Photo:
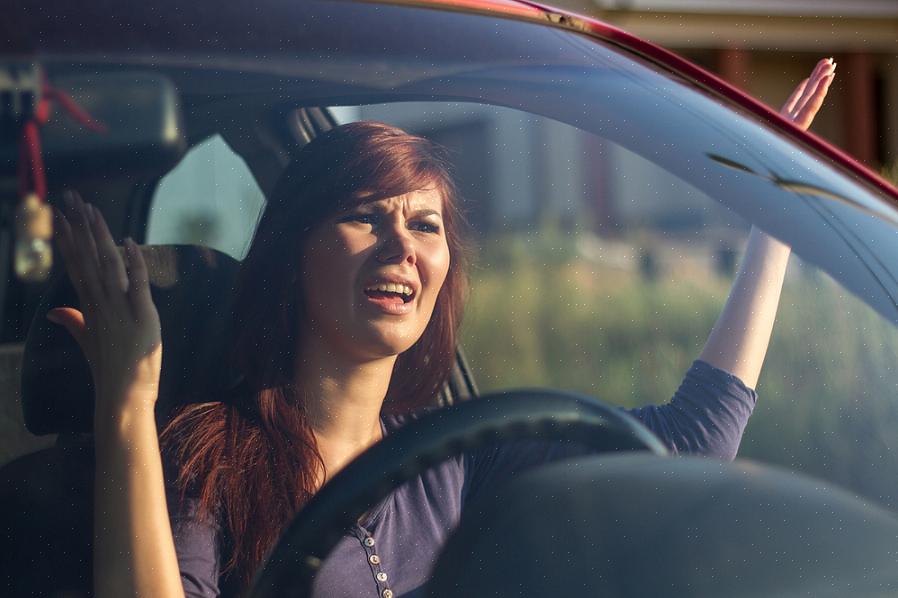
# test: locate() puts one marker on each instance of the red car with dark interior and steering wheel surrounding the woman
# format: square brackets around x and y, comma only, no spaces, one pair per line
[610,186]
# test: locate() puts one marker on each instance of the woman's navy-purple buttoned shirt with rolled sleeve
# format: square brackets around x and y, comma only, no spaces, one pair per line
[394,548]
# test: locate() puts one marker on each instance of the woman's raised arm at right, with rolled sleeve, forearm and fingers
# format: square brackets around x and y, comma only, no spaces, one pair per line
[709,411]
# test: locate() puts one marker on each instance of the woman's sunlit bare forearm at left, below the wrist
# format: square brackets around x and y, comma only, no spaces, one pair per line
[134,553]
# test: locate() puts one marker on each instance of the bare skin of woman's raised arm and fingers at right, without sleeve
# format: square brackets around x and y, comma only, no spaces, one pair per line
[738,342]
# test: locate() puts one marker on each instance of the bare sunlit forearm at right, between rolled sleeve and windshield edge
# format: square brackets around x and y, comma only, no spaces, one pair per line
[738,342]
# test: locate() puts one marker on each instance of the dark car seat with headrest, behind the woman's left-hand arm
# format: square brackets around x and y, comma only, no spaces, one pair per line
[46,497]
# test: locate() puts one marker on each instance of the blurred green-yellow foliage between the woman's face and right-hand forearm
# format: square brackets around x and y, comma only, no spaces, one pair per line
[567,323]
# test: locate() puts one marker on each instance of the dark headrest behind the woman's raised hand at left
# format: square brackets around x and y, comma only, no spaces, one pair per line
[192,288]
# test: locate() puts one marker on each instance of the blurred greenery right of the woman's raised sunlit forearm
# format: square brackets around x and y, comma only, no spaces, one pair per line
[829,389]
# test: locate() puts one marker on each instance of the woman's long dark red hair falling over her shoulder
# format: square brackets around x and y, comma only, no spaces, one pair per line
[250,462]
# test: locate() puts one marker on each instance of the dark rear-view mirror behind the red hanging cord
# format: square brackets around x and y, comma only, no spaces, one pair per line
[141,118]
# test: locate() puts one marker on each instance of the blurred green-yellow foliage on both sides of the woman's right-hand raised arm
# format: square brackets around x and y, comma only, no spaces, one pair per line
[540,315]
